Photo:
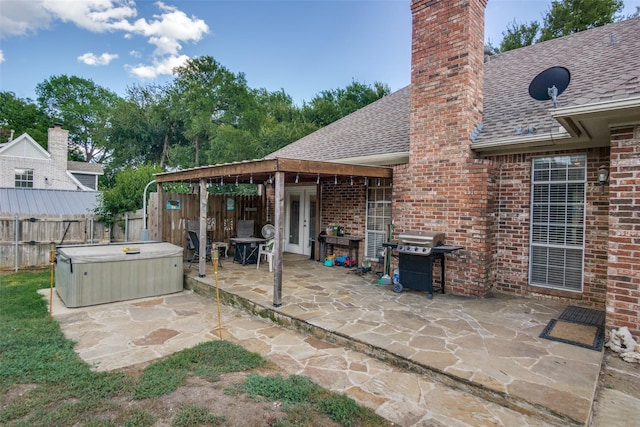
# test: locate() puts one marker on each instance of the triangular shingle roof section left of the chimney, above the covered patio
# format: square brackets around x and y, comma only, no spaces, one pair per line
[381,127]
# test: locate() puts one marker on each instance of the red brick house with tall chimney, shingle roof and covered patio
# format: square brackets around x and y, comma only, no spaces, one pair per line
[541,194]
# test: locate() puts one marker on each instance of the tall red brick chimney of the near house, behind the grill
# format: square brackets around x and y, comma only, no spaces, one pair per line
[445,187]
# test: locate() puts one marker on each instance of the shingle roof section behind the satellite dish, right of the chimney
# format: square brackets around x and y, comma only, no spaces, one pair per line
[600,71]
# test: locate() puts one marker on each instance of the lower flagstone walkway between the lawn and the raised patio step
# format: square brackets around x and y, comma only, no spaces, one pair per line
[403,397]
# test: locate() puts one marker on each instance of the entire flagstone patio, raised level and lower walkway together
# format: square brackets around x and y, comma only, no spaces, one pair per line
[417,362]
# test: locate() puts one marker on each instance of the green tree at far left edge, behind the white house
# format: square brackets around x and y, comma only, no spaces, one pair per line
[22,116]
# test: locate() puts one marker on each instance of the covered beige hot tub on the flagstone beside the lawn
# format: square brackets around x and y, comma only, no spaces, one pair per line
[98,274]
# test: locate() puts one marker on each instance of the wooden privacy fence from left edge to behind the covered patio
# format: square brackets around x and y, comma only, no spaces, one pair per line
[25,240]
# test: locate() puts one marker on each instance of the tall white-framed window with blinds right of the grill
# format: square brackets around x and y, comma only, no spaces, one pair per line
[557,222]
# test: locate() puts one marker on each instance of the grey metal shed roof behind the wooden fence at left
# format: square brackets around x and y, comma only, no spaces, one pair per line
[35,201]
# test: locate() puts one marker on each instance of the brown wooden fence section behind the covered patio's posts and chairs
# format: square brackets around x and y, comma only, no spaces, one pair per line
[223,213]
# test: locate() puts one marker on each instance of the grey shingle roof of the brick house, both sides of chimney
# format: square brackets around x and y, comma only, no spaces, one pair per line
[604,63]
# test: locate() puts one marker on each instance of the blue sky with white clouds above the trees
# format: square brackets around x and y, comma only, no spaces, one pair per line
[300,46]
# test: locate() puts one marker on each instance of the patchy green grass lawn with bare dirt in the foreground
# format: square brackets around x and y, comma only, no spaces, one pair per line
[44,383]
